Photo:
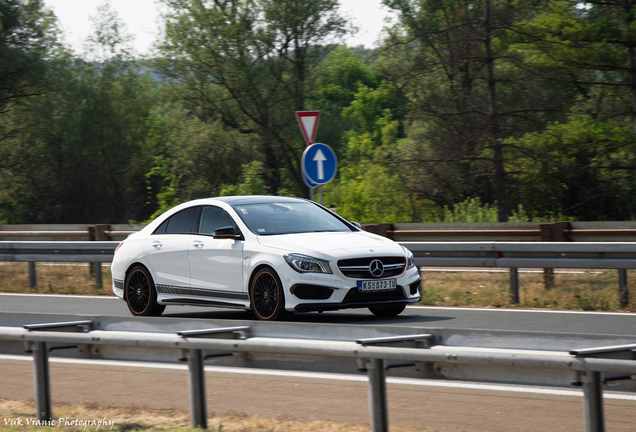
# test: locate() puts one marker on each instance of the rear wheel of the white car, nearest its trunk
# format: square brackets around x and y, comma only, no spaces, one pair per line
[140,293]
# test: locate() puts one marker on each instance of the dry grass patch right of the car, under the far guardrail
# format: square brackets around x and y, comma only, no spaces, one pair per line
[583,290]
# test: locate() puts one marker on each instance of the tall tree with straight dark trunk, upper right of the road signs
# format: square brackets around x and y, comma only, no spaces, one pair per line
[466,93]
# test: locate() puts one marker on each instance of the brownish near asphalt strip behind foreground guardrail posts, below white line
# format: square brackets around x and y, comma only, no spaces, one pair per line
[298,398]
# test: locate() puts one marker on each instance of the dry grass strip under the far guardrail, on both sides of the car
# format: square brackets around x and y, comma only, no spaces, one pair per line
[583,290]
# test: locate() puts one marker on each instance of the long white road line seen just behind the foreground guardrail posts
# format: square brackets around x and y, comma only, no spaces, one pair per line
[330,376]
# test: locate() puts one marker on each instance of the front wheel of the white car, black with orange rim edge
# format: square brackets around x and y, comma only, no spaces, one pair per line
[267,298]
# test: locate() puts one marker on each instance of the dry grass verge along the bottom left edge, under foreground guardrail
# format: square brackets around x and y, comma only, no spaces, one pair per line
[131,419]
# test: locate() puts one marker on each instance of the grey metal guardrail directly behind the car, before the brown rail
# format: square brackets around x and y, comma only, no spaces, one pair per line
[512,255]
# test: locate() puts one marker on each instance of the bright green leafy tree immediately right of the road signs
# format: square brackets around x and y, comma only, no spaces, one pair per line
[369,188]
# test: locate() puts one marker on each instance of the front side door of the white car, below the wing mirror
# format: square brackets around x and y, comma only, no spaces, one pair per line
[216,265]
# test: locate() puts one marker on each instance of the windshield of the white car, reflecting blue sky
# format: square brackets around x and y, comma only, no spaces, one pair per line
[288,218]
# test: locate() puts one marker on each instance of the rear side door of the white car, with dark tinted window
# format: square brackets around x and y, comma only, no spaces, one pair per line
[167,252]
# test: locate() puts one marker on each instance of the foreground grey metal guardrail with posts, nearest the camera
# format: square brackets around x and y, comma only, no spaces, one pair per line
[371,355]
